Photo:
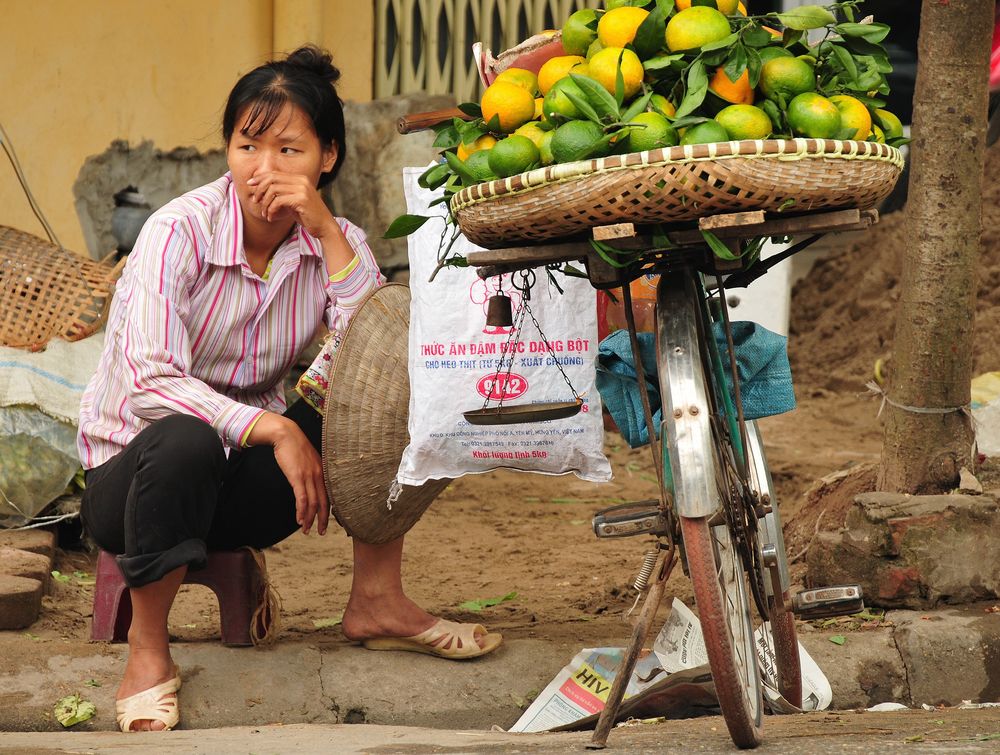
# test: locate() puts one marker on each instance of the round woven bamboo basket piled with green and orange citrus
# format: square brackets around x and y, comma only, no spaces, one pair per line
[677,184]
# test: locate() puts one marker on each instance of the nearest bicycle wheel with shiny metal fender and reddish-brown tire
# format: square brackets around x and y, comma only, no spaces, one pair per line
[701,460]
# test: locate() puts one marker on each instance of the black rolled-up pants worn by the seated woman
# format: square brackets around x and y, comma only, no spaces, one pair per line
[171,495]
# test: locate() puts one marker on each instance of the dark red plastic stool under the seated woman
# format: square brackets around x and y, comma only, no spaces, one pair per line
[233,576]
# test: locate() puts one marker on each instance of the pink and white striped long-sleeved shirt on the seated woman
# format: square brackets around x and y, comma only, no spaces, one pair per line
[193,330]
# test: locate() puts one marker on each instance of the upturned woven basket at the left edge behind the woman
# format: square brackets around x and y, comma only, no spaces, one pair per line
[48,292]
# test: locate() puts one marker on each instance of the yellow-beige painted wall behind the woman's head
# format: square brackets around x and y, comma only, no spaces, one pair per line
[77,74]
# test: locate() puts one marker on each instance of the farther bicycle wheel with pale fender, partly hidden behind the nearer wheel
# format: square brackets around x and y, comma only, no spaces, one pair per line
[781,641]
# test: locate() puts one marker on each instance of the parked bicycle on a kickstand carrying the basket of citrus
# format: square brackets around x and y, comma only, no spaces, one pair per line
[717,501]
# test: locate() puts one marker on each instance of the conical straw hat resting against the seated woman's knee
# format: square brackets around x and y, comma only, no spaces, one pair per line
[364,426]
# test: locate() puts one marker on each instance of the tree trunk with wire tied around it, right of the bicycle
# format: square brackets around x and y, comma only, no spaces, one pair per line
[923,451]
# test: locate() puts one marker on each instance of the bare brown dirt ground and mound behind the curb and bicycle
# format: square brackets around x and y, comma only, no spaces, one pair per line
[492,535]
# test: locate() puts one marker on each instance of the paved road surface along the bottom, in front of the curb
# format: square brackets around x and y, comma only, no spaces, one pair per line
[940,731]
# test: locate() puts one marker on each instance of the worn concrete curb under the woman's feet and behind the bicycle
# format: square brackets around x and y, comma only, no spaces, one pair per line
[937,657]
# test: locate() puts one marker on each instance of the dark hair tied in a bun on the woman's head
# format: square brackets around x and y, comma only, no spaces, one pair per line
[306,78]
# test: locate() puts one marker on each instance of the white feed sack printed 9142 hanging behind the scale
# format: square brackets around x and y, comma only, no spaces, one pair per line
[453,367]
